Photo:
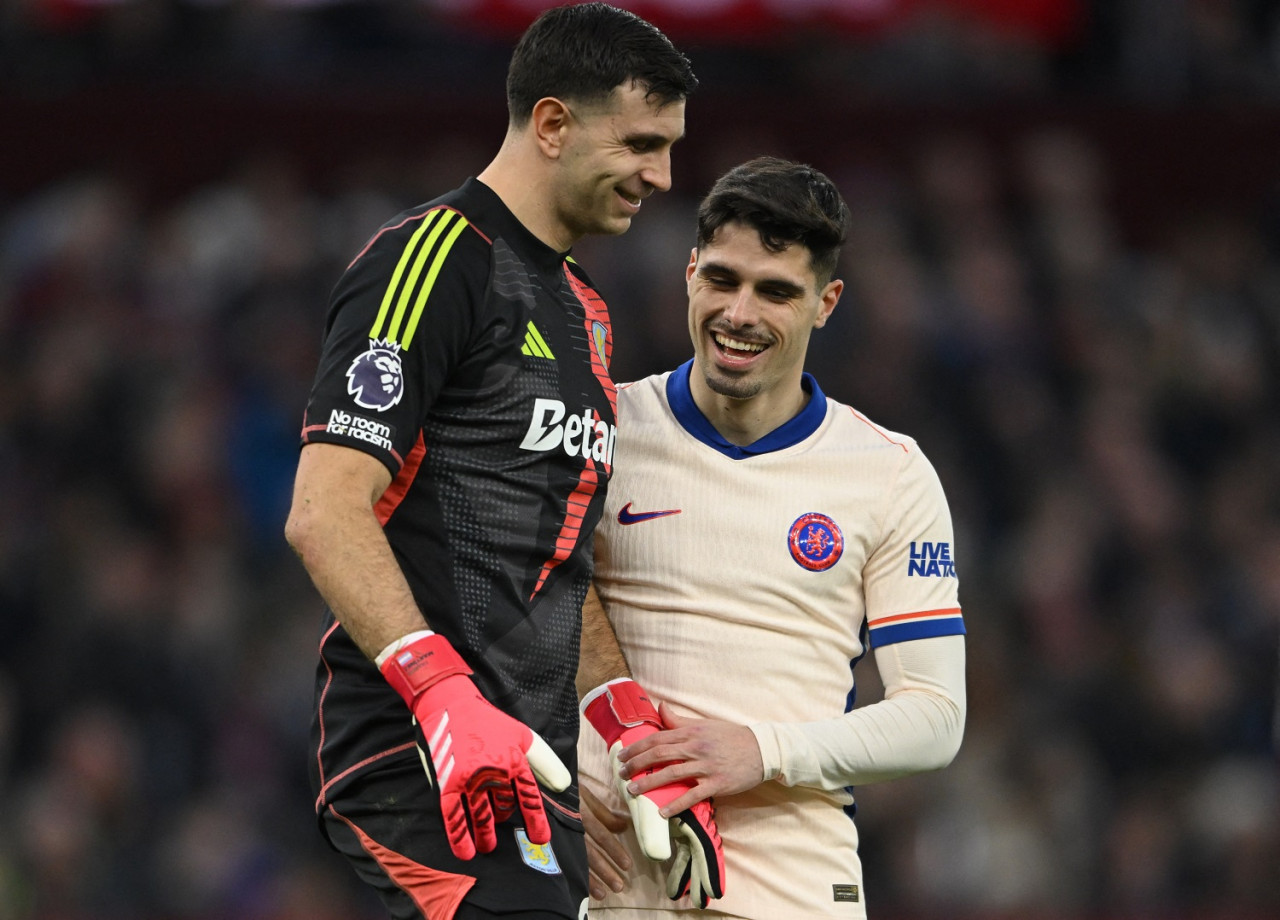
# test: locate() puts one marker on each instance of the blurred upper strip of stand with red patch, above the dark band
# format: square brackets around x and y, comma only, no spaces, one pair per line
[1163,51]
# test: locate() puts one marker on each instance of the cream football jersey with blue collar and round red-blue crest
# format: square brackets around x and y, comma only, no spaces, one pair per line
[744,584]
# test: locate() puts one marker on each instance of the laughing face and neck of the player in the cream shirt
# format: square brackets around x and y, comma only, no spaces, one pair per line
[751,314]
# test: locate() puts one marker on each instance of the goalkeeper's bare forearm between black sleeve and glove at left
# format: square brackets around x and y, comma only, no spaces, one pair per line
[333,529]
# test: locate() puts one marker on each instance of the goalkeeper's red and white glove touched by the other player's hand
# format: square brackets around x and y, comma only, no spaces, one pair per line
[623,713]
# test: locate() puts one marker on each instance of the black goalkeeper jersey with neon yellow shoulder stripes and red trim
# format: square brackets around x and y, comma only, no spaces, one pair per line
[472,360]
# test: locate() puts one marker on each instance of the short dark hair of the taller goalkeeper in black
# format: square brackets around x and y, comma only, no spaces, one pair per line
[583,52]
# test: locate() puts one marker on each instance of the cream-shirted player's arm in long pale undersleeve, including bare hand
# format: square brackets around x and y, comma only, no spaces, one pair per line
[917,727]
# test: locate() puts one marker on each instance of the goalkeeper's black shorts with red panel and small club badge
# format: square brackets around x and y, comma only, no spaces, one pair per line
[388,826]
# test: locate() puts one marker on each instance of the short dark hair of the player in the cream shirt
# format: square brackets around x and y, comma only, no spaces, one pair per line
[785,203]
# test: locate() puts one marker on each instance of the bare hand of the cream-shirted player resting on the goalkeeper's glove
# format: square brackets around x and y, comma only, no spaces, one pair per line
[710,758]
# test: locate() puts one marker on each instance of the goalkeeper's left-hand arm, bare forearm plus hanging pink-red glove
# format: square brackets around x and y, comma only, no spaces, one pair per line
[495,768]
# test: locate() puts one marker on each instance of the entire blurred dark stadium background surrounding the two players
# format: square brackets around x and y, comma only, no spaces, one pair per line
[1064,280]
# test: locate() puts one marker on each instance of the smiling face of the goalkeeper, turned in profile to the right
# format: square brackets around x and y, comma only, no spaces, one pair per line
[615,157]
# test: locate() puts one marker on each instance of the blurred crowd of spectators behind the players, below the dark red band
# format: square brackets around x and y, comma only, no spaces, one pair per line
[1103,408]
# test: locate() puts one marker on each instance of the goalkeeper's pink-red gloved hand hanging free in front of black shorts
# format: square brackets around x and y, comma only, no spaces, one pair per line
[484,763]
